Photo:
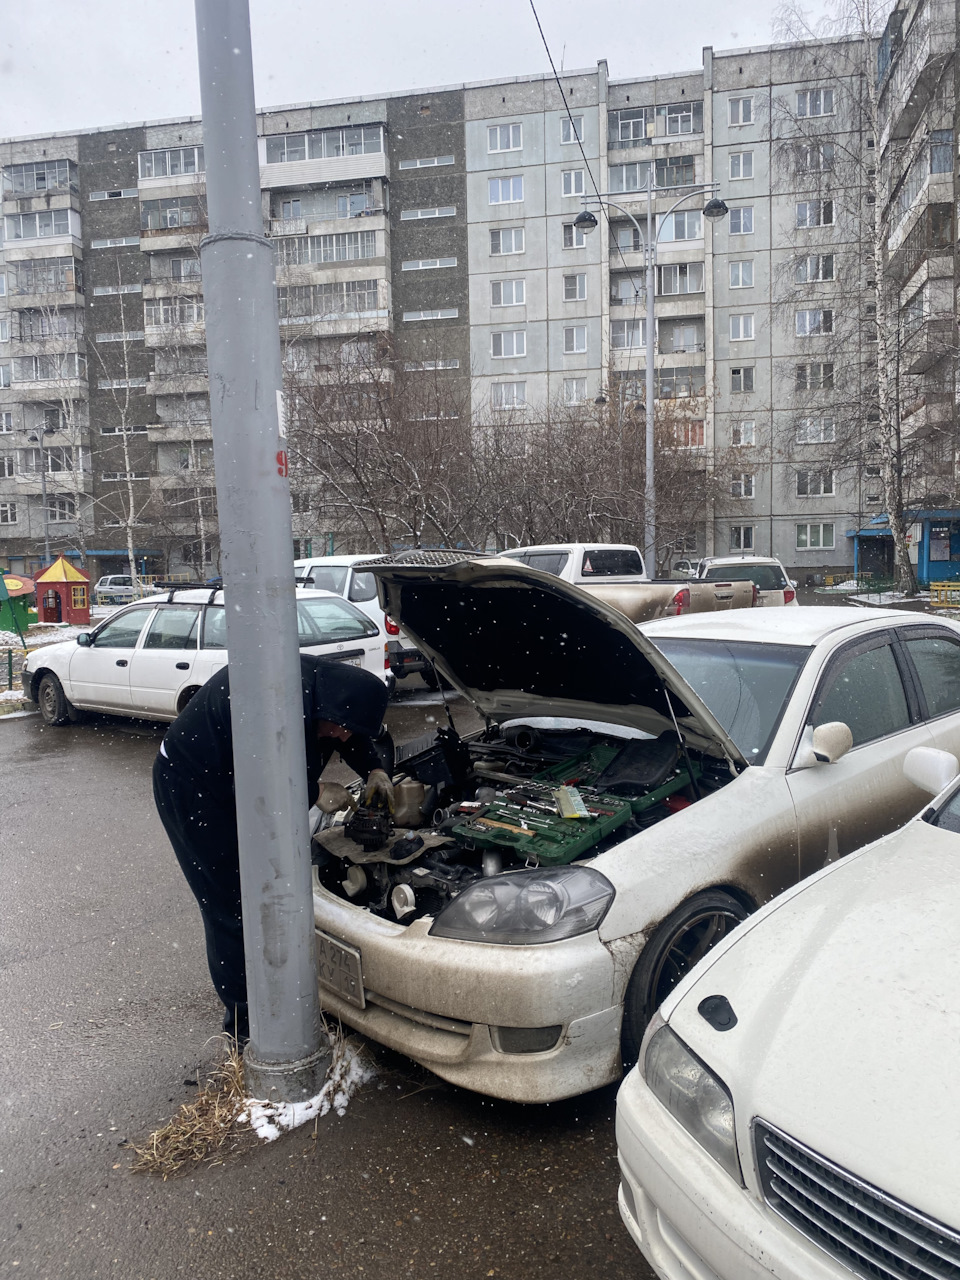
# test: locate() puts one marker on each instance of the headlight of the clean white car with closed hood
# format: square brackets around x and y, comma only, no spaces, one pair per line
[693,1096]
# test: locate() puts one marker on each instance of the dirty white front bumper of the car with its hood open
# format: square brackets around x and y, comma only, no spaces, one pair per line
[436,1000]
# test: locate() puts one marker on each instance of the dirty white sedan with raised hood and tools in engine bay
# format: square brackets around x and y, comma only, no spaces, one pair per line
[719,760]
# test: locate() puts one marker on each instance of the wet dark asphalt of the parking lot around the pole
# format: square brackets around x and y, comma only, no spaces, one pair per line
[107,1016]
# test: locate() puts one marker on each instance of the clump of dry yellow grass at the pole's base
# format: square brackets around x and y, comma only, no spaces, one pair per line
[203,1132]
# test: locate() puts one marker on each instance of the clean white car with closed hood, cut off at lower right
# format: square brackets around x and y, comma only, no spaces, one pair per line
[794,1113]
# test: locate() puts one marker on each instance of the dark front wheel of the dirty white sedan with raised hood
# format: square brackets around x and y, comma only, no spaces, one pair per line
[673,950]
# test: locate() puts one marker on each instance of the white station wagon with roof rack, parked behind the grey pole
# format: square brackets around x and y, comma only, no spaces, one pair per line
[152,657]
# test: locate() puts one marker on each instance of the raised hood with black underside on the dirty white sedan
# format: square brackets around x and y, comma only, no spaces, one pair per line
[519,642]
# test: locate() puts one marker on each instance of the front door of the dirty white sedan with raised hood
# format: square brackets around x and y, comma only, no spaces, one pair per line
[865,796]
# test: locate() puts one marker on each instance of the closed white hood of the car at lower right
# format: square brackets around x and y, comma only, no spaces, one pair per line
[848,998]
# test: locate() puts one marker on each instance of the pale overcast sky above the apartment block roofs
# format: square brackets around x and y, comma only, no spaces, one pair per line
[70,65]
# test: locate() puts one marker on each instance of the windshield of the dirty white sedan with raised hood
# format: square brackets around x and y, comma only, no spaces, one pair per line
[746,685]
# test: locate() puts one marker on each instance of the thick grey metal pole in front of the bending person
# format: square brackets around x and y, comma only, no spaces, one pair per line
[284,1059]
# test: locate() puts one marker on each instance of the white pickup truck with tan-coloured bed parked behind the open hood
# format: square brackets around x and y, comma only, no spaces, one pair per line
[616,574]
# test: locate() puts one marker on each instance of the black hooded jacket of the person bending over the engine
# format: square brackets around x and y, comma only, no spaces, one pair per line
[200,744]
